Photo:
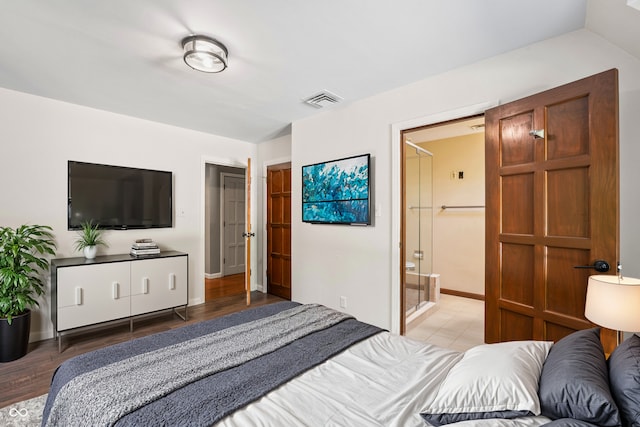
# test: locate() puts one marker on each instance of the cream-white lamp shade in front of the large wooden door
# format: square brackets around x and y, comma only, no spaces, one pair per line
[614,303]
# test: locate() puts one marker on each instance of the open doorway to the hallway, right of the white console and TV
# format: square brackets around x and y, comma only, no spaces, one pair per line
[225,195]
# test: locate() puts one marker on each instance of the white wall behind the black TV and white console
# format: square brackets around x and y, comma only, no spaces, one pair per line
[39,135]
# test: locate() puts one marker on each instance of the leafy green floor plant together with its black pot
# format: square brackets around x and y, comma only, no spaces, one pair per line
[22,263]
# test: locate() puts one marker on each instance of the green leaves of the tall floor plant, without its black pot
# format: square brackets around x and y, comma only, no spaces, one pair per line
[22,263]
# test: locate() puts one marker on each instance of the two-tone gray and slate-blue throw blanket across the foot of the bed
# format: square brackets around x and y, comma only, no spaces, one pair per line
[161,386]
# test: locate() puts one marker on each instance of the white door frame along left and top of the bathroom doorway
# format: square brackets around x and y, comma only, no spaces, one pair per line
[396,188]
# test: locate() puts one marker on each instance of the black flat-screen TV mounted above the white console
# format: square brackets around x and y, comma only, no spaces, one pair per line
[116,197]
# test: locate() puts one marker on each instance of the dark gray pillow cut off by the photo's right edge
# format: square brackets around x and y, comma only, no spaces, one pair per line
[624,379]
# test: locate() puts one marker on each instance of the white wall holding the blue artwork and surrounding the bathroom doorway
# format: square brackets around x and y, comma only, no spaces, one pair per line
[358,262]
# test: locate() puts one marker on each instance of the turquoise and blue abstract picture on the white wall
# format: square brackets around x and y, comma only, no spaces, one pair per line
[337,191]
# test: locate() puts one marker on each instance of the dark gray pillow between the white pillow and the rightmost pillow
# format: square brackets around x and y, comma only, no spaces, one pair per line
[574,382]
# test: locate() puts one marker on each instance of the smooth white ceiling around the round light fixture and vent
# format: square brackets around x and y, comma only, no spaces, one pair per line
[125,56]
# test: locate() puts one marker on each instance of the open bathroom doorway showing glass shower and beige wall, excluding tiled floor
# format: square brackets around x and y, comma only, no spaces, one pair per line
[442,224]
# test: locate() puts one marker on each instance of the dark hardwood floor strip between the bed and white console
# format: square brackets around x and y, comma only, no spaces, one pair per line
[31,375]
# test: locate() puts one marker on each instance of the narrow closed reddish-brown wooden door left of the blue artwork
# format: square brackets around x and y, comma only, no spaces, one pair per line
[279,230]
